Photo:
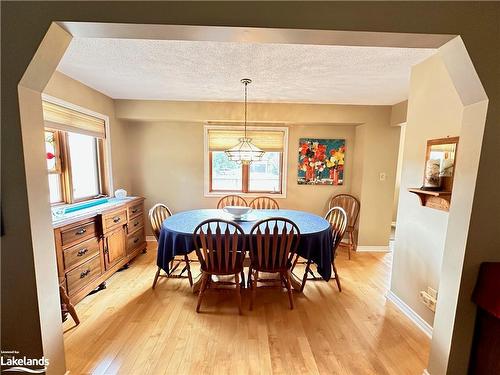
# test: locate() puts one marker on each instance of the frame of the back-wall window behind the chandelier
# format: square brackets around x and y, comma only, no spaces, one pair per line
[245,192]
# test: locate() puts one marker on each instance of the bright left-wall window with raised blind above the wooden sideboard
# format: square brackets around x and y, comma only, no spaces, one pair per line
[75,148]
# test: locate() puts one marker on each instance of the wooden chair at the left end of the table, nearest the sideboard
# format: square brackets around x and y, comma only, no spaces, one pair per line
[157,215]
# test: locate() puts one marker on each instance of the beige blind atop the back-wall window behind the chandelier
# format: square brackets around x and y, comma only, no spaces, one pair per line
[267,140]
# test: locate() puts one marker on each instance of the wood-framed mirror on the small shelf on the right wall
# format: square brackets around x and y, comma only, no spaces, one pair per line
[440,164]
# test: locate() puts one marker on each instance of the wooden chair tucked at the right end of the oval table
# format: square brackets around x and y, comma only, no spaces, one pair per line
[337,218]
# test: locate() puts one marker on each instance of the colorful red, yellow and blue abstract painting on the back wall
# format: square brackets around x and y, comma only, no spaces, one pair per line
[321,161]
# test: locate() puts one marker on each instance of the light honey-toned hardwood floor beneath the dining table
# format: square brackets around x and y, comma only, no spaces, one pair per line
[131,329]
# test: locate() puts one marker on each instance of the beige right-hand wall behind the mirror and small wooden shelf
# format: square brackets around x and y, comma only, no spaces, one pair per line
[434,111]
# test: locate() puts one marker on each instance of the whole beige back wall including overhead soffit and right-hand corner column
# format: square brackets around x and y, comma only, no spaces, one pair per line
[157,131]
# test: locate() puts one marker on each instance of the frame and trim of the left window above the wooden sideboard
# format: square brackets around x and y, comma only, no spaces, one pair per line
[103,151]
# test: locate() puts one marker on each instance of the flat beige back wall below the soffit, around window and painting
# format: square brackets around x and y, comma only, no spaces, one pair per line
[169,166]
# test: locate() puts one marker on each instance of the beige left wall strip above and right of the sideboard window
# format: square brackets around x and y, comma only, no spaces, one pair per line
[75,92]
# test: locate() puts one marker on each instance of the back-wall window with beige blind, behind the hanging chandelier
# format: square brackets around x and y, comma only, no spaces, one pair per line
[264,176]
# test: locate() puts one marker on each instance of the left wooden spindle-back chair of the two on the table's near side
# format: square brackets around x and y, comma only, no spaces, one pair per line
[220,247]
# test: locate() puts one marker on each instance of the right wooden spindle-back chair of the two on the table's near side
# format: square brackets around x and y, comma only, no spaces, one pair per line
[273,242]
